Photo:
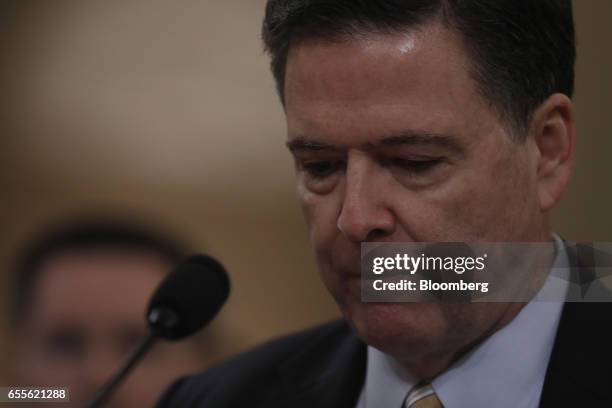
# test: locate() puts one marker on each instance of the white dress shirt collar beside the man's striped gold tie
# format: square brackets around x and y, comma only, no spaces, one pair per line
[506,370]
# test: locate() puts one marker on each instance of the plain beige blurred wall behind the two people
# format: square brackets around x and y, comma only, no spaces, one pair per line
[166,109]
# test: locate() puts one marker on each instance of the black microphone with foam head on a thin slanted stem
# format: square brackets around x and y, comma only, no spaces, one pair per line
[186,300]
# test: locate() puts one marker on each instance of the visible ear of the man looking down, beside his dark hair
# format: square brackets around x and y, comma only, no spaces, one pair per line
[554,134]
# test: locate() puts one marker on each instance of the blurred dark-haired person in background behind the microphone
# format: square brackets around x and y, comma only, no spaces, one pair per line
[79,300]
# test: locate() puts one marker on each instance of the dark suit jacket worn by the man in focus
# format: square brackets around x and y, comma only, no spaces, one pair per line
[325,368]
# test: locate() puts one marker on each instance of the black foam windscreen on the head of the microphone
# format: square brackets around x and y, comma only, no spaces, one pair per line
[193,292]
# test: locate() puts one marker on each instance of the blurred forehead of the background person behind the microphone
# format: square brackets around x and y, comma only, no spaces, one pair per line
[96,282]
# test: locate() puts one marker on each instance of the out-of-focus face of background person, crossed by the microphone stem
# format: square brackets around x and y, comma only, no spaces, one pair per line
[87,313]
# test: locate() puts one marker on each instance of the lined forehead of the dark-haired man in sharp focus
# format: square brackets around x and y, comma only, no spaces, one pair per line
[379,83]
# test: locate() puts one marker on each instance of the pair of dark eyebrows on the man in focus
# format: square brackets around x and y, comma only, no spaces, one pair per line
[404,138]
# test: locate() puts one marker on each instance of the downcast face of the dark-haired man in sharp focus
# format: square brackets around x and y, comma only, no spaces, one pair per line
[392,142]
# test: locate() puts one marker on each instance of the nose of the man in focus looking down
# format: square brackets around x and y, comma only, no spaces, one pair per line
[365,214]
